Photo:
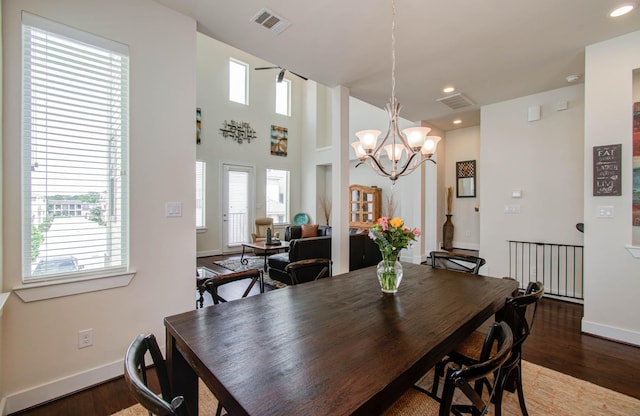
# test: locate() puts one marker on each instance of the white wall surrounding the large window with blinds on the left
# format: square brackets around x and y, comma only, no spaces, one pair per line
[40,357]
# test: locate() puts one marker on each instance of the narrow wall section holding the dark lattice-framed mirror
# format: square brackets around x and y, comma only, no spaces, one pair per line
[463,144]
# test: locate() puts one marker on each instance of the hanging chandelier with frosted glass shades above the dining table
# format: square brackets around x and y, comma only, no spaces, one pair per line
[407,150]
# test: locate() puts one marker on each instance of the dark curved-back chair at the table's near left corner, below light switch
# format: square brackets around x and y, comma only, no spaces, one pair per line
[135,375]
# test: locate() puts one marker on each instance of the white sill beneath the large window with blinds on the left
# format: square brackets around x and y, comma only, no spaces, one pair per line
[32,292]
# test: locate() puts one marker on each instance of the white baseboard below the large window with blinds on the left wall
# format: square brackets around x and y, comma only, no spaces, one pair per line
[43,393]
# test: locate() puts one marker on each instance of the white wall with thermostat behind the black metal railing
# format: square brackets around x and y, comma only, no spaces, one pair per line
[543,159]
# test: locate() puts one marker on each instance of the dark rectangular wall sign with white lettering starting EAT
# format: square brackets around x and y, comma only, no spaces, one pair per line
[606,170]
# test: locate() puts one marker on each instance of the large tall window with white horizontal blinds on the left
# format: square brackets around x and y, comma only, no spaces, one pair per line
[75,152]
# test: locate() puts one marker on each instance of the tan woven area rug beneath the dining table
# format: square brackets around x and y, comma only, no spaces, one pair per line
[547,392]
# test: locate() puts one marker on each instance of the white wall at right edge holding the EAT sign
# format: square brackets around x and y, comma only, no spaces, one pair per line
[611,274]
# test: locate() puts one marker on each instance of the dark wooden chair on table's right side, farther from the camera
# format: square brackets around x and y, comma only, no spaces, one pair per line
[519,313]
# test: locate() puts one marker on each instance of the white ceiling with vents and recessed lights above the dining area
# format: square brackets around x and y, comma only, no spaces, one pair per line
[491,50]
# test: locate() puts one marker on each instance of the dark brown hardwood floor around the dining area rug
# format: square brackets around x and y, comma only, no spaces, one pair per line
[555,342]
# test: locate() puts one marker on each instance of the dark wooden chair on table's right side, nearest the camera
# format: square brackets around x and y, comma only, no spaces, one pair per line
[419,401]
